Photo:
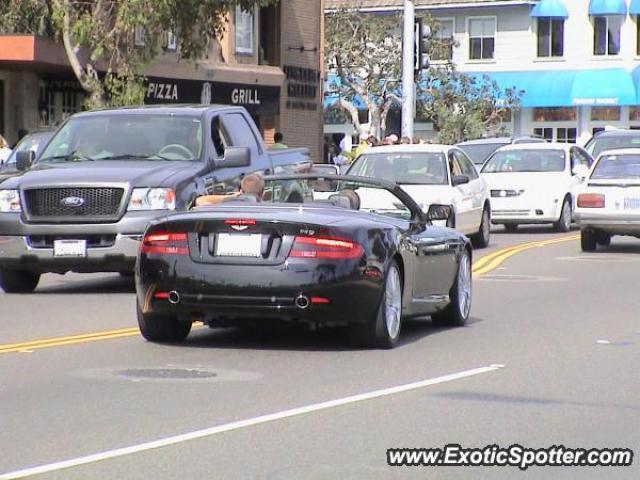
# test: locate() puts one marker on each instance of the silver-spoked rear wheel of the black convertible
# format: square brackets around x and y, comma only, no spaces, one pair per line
[384,331]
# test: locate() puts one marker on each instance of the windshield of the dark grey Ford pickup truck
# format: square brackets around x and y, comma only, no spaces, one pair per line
[126,137]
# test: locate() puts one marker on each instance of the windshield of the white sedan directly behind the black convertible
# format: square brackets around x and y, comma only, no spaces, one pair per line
[407,168]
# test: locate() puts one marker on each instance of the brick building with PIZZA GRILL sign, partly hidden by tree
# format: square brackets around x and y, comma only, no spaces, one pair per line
[268,60]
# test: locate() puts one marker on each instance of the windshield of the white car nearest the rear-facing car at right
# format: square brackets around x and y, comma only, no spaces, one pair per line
[529,160]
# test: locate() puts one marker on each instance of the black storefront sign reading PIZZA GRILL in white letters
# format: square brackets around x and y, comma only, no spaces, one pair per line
[257,99]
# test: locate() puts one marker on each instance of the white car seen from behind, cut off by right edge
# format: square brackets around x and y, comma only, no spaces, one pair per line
[608,203]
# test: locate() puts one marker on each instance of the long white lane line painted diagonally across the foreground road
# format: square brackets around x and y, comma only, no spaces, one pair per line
[227,427]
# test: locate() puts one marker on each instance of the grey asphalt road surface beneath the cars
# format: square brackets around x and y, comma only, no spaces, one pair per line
[550,357]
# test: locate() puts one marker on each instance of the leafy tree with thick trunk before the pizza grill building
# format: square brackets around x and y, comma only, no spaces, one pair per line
[101,33]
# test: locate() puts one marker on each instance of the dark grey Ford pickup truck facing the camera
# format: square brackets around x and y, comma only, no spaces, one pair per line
[85,202]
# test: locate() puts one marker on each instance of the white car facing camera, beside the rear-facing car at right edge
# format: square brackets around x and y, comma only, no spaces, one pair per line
[534,183]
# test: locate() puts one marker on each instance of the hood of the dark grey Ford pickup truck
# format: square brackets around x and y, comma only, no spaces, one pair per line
[135,173]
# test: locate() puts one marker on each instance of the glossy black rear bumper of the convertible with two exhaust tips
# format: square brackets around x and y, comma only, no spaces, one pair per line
[226,294]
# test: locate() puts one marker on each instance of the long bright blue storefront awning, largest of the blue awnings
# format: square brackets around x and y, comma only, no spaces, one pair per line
[566,88]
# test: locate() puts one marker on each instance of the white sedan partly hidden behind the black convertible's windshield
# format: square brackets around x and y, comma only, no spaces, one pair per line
[432,173]
